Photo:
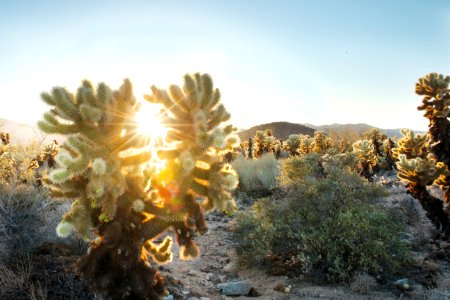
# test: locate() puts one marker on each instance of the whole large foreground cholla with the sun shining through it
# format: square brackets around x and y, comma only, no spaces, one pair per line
[120,206]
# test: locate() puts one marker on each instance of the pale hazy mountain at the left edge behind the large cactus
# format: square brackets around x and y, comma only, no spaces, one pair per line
[24,133]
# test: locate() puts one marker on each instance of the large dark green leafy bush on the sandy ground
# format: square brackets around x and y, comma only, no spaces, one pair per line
[326,228]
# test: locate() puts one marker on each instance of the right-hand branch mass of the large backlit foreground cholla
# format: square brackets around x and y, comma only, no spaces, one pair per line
[192,116]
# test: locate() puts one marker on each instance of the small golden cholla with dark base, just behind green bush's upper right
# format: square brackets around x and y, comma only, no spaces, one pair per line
[366,158]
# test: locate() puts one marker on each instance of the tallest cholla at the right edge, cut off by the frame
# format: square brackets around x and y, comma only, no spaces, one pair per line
[436,104]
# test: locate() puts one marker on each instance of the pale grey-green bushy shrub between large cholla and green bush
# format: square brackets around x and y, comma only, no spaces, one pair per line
[257,174]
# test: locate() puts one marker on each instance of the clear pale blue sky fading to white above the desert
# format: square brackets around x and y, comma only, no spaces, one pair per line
[317,62]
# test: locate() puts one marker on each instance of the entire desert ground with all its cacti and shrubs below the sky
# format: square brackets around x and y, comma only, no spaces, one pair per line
[114,213]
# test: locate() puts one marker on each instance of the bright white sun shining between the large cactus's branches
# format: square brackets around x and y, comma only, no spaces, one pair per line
[148,118]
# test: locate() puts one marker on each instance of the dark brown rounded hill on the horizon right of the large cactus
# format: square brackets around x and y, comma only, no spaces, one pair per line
[281,130]
